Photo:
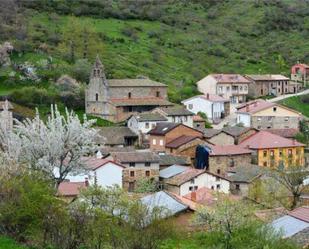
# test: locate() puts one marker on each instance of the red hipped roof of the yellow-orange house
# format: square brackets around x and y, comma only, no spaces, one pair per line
[267,140]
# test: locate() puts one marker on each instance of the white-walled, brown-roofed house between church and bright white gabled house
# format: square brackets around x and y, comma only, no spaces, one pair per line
[176,114]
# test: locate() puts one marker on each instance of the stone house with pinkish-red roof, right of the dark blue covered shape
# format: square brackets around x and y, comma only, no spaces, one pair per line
[222,158]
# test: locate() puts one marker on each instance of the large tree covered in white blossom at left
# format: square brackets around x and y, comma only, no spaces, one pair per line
[55,147]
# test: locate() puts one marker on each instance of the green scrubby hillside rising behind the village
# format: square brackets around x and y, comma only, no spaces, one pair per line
[175,42]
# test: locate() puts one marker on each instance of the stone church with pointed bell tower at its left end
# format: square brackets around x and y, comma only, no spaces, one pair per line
[117,99]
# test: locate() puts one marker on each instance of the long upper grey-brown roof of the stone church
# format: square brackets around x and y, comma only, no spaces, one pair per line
[134,83]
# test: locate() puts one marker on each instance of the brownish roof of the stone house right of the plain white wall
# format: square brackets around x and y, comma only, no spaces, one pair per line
[136,157]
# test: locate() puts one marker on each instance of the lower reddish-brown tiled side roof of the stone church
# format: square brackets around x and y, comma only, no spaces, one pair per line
[140,102]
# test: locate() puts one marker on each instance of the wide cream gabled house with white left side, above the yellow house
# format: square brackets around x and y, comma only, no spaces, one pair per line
[261,114]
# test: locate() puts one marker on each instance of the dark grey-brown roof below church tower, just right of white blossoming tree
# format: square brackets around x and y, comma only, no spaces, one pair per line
[115,135]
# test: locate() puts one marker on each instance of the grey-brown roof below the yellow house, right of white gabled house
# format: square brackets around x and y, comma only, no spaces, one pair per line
[244,173]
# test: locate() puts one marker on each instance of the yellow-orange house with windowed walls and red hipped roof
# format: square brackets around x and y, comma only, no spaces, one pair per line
[271,150]
